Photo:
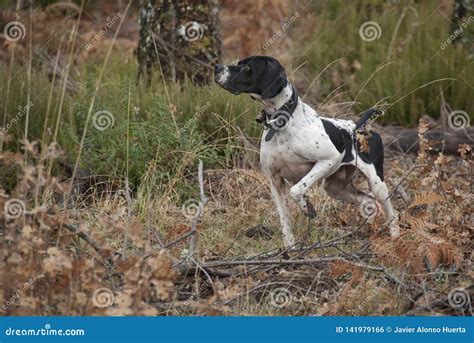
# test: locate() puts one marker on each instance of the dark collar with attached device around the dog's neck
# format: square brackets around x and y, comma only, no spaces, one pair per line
[277,120]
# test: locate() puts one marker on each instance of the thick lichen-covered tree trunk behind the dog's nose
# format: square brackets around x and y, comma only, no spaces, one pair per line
[179,38]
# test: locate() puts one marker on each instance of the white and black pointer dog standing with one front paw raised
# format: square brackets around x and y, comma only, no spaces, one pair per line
[300,148]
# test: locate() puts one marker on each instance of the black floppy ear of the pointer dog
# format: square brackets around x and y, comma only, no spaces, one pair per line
[272,79]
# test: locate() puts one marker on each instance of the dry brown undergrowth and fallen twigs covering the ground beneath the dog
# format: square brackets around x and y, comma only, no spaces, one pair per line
[64,257]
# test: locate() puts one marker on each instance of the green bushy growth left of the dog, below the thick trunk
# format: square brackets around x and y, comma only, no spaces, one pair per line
[144,131]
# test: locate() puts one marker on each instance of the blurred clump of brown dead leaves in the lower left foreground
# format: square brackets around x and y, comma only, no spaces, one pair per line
[68,271]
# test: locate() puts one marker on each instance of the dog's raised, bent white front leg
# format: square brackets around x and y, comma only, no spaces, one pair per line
[320,170]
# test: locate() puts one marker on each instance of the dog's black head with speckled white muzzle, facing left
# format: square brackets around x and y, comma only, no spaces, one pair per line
[261,76]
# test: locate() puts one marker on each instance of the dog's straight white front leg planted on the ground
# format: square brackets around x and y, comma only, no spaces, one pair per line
[277,186]
